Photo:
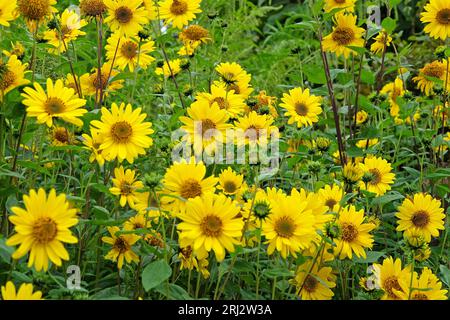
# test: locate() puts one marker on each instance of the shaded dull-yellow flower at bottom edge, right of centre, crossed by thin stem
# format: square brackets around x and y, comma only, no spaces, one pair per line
[314,283]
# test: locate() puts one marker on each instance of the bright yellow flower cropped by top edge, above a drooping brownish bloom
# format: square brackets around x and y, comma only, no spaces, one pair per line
[178,12]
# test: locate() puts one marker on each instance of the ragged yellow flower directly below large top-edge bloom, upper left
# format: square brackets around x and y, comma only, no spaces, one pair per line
[130,52]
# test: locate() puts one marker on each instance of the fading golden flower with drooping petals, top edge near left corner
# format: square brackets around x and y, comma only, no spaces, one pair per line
[35,12]
